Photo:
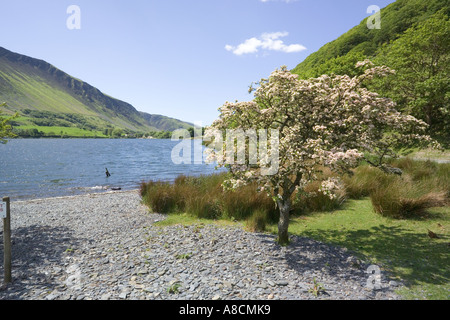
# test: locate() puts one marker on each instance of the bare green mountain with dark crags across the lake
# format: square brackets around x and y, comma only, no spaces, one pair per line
[45,96]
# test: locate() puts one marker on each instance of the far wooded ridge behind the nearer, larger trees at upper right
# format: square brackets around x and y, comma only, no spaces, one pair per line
[340,55]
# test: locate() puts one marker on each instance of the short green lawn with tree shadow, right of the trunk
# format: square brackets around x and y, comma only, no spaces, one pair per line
[402,247]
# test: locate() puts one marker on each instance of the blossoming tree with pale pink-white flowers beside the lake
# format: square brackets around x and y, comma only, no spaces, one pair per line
[330,121]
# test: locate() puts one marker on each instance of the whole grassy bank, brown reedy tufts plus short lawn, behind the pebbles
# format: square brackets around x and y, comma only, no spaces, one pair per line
[398,222]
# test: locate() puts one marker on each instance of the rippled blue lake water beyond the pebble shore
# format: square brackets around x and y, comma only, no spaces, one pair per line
[42,168]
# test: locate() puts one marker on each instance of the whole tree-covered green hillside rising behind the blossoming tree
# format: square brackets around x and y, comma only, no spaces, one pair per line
[414,40]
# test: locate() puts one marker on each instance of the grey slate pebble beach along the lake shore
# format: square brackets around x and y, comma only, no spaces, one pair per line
[106,247]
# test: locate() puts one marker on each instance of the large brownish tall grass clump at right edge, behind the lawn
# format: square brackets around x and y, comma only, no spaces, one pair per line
[423,185]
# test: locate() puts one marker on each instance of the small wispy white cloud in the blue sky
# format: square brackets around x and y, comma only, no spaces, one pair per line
[267,41]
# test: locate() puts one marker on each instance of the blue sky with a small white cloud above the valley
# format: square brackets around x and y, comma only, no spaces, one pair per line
[179,58]
